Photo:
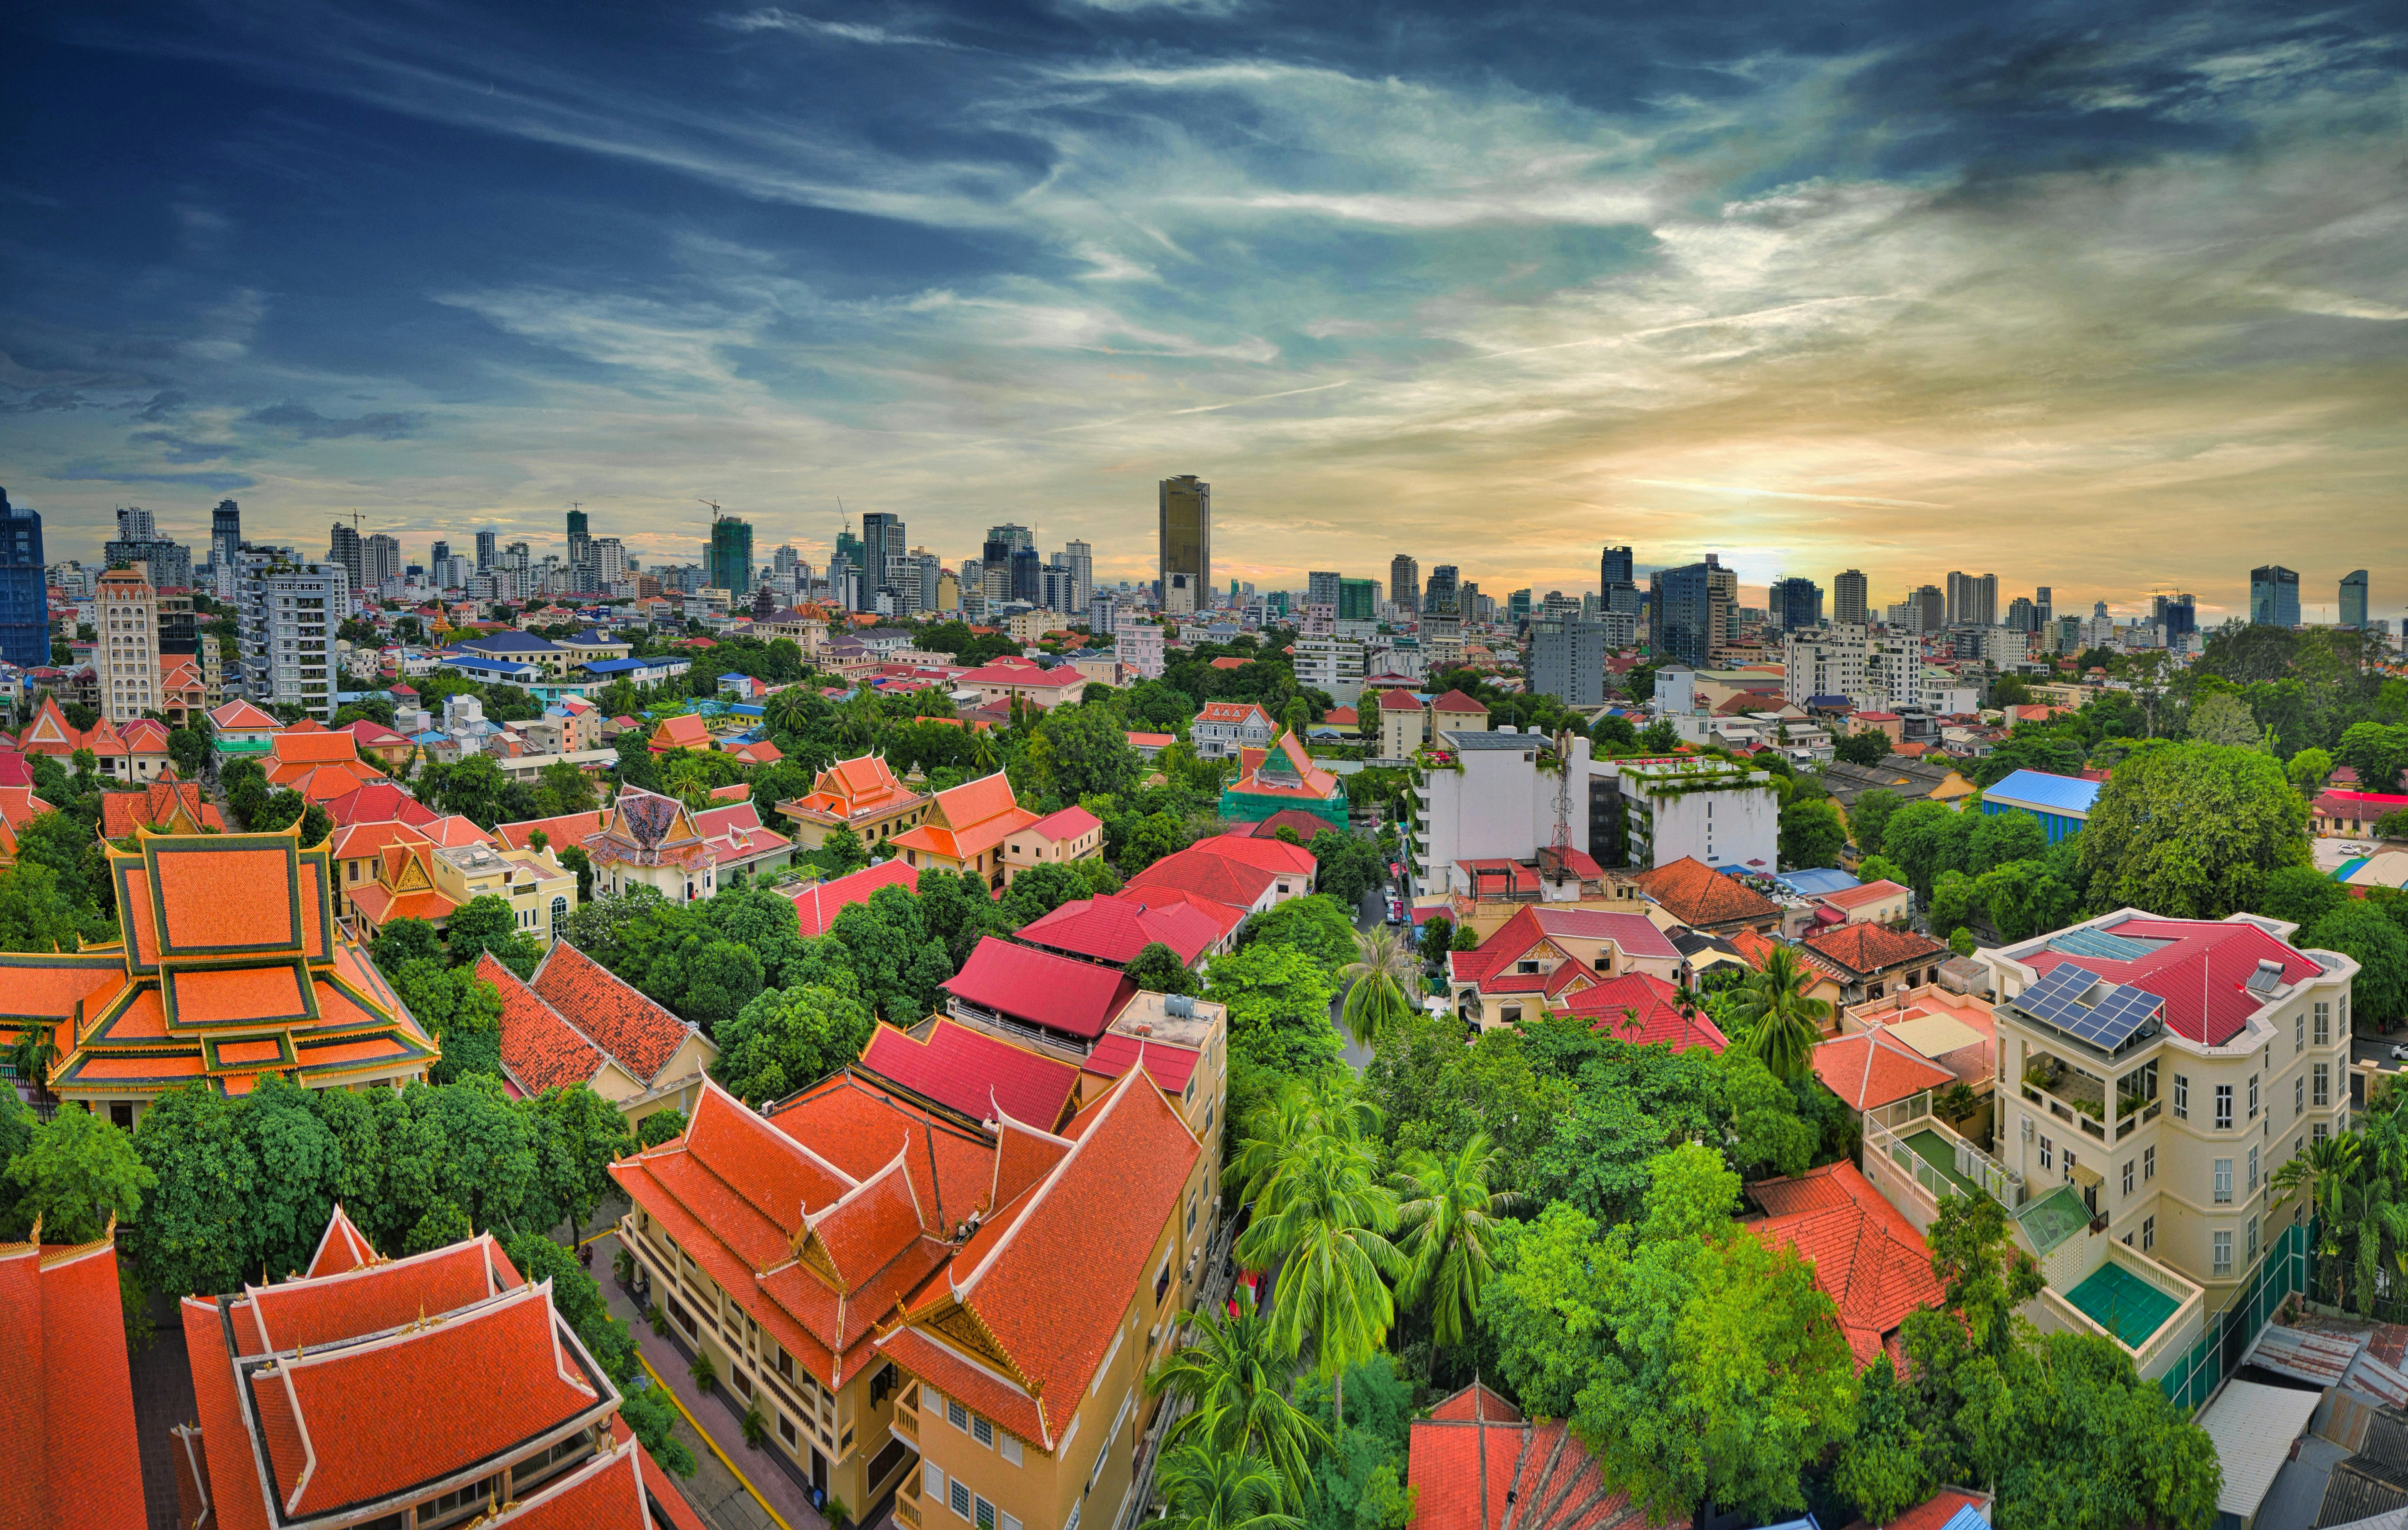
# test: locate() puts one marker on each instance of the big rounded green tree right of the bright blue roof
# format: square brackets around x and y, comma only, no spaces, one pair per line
[2192,832]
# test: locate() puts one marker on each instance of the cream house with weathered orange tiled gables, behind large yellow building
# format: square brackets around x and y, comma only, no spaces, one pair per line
[584,1025]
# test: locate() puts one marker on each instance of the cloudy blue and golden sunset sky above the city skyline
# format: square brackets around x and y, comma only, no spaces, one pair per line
[2099,298]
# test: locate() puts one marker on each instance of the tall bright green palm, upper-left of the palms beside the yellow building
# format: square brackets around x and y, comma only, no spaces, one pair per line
[1326,1218]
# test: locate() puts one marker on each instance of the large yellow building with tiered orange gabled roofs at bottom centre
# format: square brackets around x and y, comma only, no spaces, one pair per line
[948,1310]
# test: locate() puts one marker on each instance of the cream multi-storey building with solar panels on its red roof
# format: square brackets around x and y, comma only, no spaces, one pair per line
[2166,1071]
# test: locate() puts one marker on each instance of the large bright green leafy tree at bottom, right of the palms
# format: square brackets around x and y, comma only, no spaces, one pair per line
[1692,1358]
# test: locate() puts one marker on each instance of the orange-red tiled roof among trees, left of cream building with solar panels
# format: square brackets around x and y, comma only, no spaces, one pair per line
[1865,1252]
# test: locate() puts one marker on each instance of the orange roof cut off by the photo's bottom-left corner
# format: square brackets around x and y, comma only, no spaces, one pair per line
[66,1389]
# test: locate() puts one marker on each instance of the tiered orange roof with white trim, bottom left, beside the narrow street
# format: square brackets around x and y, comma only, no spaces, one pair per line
[293,1379]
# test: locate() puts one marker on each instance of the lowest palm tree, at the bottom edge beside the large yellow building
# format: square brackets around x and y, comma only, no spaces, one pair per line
[1237,1377]
